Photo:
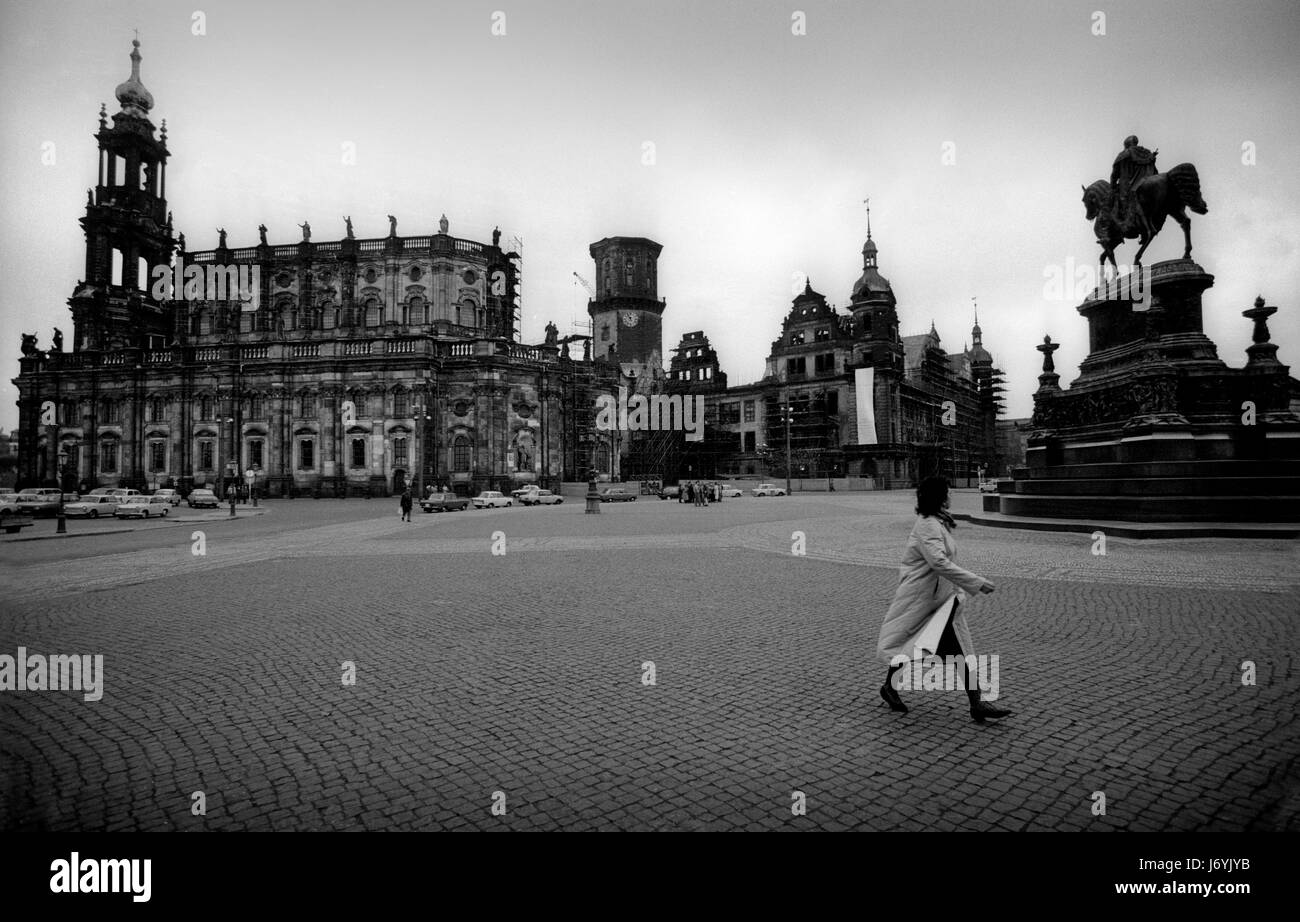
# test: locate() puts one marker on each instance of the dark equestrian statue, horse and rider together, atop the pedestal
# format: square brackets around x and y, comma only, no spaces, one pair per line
[1137,201]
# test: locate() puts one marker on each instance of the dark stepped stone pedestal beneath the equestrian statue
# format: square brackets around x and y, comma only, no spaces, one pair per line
[1158,427]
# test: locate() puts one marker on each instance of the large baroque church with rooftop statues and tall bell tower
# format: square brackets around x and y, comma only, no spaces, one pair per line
[354,366]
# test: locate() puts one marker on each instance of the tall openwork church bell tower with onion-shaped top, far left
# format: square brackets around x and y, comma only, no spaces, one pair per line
[128,230]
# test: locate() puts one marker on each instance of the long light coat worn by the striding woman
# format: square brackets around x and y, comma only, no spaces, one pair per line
[928,579]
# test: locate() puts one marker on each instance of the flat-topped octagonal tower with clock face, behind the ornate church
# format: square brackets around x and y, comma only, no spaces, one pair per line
[627,315]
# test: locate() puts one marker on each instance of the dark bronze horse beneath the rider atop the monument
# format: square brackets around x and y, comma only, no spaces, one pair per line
[1152,201]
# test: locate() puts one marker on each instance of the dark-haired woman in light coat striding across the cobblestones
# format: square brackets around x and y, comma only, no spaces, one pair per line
[928,579]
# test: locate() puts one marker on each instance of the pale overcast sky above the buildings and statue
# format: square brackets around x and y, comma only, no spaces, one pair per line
[765,146]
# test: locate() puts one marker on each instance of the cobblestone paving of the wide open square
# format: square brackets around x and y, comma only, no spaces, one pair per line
[523,674]
